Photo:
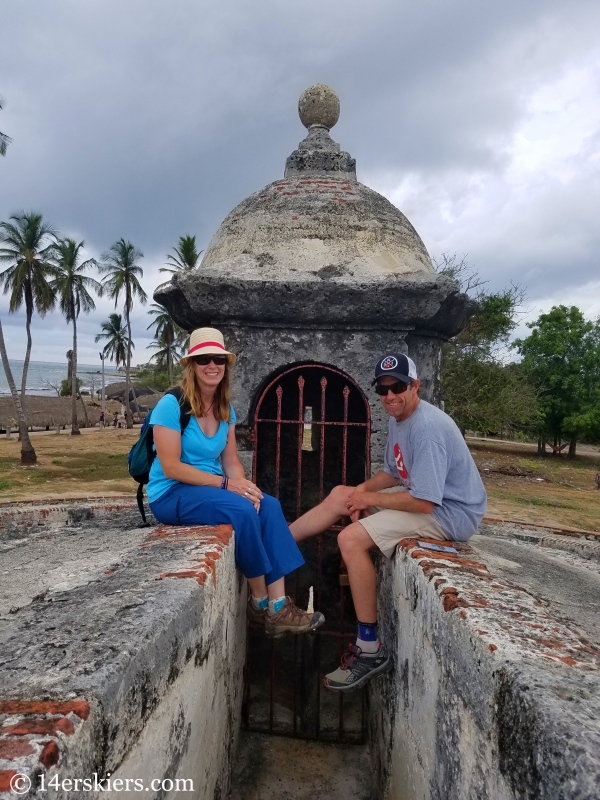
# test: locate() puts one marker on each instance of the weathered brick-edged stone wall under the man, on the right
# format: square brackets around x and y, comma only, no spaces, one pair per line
[493,696]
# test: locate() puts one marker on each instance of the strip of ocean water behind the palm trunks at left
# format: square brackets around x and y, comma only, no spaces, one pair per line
[42,374]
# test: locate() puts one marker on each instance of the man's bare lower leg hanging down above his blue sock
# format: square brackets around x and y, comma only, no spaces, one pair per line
[354,543]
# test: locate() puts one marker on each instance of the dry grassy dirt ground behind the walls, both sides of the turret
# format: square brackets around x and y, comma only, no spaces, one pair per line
[521,485]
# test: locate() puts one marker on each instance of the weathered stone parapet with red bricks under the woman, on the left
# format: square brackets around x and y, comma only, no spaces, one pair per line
[134,674]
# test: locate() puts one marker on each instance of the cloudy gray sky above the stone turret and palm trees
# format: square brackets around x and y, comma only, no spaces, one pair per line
[149,119]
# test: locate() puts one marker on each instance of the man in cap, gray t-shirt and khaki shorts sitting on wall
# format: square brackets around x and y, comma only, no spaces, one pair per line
[429,488]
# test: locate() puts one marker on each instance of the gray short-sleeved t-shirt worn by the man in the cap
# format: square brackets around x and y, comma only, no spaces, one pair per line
[429,455]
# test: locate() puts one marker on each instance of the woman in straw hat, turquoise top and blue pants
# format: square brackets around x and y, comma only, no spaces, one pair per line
[188,485]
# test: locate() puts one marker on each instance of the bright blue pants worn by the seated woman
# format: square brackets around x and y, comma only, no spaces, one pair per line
[264,544]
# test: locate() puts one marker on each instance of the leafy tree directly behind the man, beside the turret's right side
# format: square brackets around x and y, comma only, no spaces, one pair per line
[480,390]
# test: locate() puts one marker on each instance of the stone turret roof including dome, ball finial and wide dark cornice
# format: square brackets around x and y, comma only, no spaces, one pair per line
[317,248]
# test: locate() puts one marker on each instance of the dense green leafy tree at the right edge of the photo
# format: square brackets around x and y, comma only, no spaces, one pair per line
[562,357]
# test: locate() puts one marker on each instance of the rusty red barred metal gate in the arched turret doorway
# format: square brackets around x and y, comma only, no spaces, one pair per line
[311,432]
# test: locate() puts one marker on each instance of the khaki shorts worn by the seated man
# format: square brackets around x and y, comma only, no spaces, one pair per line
[387,527]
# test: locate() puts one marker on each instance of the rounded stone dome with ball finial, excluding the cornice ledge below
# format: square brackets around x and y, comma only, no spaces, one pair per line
[318,221]
